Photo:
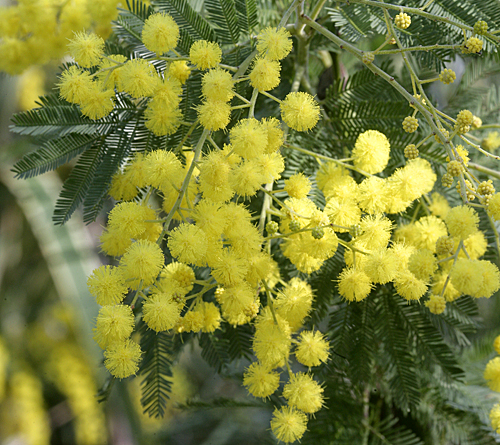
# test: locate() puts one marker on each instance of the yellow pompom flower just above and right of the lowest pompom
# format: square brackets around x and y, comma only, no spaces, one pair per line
[303,393]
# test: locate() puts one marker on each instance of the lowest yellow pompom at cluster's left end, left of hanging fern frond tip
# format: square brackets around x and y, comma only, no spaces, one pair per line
[122,358]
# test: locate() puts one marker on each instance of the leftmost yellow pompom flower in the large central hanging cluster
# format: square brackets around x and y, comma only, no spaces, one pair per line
[107,285]
